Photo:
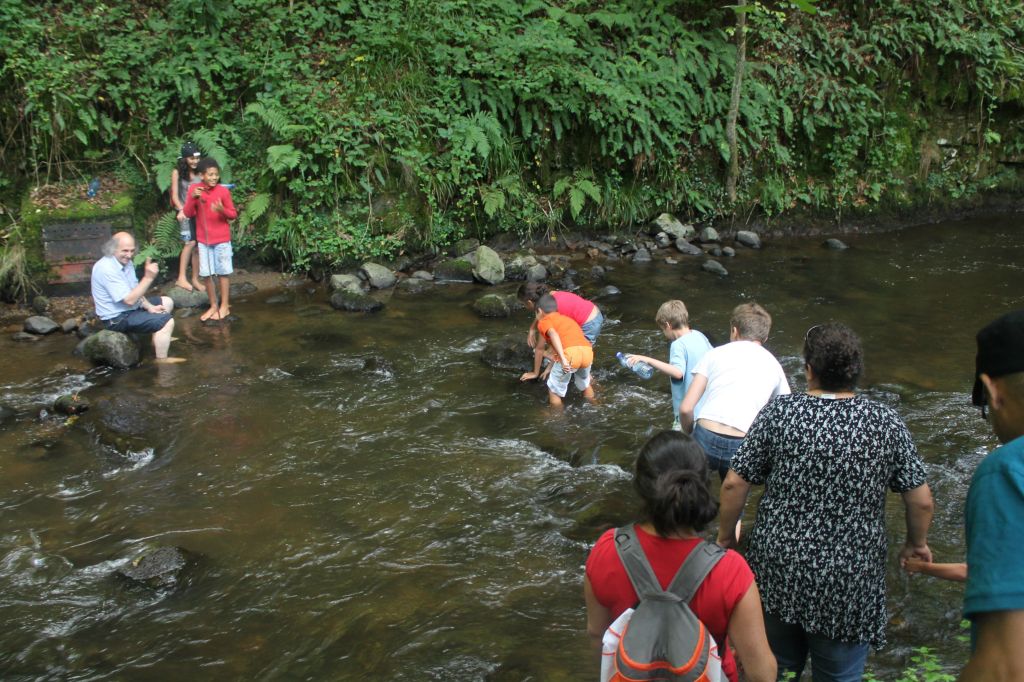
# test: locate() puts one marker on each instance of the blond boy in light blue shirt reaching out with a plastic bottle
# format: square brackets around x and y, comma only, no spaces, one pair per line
[688,348]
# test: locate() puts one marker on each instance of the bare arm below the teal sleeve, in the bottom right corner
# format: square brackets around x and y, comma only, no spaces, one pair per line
[998,655]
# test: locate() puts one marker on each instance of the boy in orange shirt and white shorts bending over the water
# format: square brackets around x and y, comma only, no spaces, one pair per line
[570,351]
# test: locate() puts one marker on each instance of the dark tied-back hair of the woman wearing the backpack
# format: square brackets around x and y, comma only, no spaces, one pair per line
[671,479]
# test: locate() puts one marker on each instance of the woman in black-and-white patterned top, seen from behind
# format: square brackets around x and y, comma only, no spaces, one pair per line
[819,547]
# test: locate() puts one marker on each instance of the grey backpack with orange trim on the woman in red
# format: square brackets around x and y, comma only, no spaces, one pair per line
[664,640]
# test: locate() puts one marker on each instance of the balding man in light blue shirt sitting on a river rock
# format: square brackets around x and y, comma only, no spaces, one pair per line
[120,297]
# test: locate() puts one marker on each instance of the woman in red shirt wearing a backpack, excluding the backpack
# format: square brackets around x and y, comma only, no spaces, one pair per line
[671,479]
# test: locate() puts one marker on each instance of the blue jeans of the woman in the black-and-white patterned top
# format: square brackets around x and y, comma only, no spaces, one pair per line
[832,660]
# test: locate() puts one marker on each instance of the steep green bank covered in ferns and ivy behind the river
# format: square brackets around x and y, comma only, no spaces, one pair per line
[361,127]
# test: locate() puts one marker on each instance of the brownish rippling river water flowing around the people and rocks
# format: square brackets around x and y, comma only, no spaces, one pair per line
[368,499]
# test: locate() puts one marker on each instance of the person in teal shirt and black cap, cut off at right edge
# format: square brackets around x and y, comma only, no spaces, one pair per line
[995,598]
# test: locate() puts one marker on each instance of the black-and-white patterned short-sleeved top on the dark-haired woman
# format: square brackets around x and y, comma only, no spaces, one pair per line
[819,545]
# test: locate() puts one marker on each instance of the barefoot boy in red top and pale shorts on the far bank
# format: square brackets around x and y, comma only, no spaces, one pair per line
[210,203]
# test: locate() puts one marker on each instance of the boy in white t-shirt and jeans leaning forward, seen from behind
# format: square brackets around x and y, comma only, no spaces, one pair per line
[733,383]
